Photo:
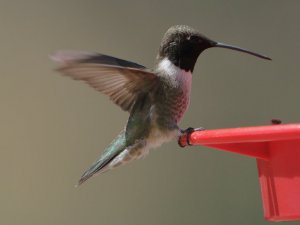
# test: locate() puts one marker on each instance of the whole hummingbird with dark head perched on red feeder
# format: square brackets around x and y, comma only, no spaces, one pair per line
[155,99]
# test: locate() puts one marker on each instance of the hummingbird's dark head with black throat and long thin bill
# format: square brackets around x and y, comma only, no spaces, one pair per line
[182,45]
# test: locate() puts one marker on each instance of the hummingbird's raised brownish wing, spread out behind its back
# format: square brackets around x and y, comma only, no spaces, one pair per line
[121,80]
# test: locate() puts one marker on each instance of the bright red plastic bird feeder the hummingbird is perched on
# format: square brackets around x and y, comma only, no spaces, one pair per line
[277,152]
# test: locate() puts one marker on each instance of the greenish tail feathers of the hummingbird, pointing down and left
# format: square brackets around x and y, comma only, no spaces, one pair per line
[109,154]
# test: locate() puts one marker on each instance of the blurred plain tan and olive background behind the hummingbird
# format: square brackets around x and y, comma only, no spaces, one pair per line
[53,128]
